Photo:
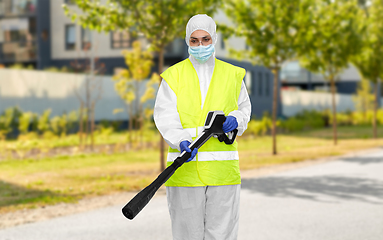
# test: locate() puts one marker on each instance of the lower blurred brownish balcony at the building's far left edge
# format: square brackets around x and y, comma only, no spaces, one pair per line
[16,52]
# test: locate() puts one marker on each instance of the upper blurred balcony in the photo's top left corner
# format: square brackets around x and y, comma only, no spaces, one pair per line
[11,8]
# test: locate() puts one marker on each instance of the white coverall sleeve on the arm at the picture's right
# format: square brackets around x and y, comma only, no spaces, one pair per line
[243,113]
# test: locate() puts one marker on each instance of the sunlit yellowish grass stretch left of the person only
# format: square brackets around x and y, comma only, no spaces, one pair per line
[31,183]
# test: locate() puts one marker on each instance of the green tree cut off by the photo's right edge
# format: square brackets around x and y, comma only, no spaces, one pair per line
[370,59]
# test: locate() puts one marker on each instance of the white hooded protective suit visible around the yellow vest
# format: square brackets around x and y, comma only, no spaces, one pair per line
[209,212]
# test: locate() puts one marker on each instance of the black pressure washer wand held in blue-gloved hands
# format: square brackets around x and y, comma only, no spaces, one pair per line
[212,127]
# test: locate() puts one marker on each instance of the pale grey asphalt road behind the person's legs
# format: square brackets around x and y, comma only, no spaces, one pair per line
[336,200]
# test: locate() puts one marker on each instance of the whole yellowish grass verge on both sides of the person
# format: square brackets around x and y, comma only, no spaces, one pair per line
[31,183]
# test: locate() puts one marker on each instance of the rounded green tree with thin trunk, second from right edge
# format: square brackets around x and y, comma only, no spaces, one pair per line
[331,38]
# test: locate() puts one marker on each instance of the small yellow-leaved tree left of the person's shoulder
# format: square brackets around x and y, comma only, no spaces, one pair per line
[128,83]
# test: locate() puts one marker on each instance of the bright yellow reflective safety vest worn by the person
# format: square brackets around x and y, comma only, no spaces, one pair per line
[216,163]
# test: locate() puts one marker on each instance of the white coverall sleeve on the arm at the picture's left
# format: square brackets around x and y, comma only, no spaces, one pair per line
[167,119]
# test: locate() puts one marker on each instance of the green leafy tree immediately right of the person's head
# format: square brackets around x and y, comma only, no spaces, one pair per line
[270,29]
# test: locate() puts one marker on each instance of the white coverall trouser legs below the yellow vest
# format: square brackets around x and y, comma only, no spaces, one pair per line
[204,213]
